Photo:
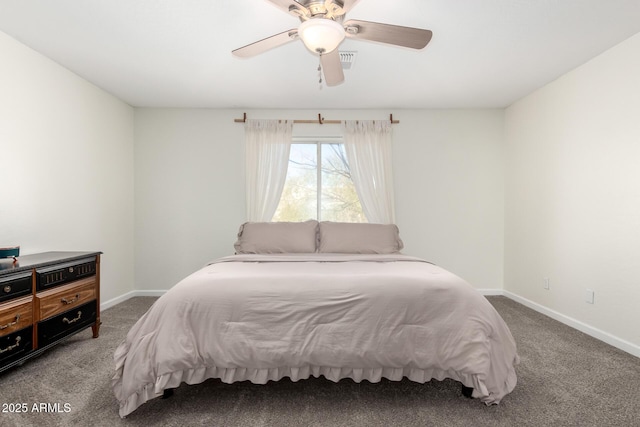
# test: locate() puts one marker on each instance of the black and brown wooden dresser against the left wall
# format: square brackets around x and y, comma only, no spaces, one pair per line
[45,298]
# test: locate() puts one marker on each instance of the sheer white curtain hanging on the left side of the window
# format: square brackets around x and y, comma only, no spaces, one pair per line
[267,147]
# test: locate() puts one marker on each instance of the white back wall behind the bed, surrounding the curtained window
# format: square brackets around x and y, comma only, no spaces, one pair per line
[189,174]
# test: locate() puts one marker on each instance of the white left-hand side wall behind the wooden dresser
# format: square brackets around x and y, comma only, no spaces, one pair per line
[66,171]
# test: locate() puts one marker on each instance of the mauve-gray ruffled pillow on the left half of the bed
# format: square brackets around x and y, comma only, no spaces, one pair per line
[277,237]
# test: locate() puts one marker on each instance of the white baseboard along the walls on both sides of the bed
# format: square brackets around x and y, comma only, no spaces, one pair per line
[569,321]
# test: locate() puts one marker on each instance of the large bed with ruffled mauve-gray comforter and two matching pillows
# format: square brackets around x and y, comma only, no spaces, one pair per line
[317,299]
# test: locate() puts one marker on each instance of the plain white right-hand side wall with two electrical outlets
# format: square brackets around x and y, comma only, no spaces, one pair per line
[573,193]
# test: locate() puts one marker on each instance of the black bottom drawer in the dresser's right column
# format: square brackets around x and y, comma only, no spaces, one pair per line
[66,323]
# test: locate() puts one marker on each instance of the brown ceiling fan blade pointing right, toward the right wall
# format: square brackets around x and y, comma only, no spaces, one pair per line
[414,38]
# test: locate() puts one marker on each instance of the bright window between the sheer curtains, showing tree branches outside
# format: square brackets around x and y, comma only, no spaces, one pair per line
[318,185]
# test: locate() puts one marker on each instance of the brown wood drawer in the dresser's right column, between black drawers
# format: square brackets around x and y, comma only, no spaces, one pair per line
[55,301]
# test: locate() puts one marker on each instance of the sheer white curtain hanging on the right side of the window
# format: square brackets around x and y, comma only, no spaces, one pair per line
[367,144]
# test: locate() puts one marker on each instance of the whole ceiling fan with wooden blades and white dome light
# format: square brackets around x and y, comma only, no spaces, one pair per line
[323,28]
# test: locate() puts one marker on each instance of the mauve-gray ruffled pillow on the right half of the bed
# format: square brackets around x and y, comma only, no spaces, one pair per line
[359,238]
